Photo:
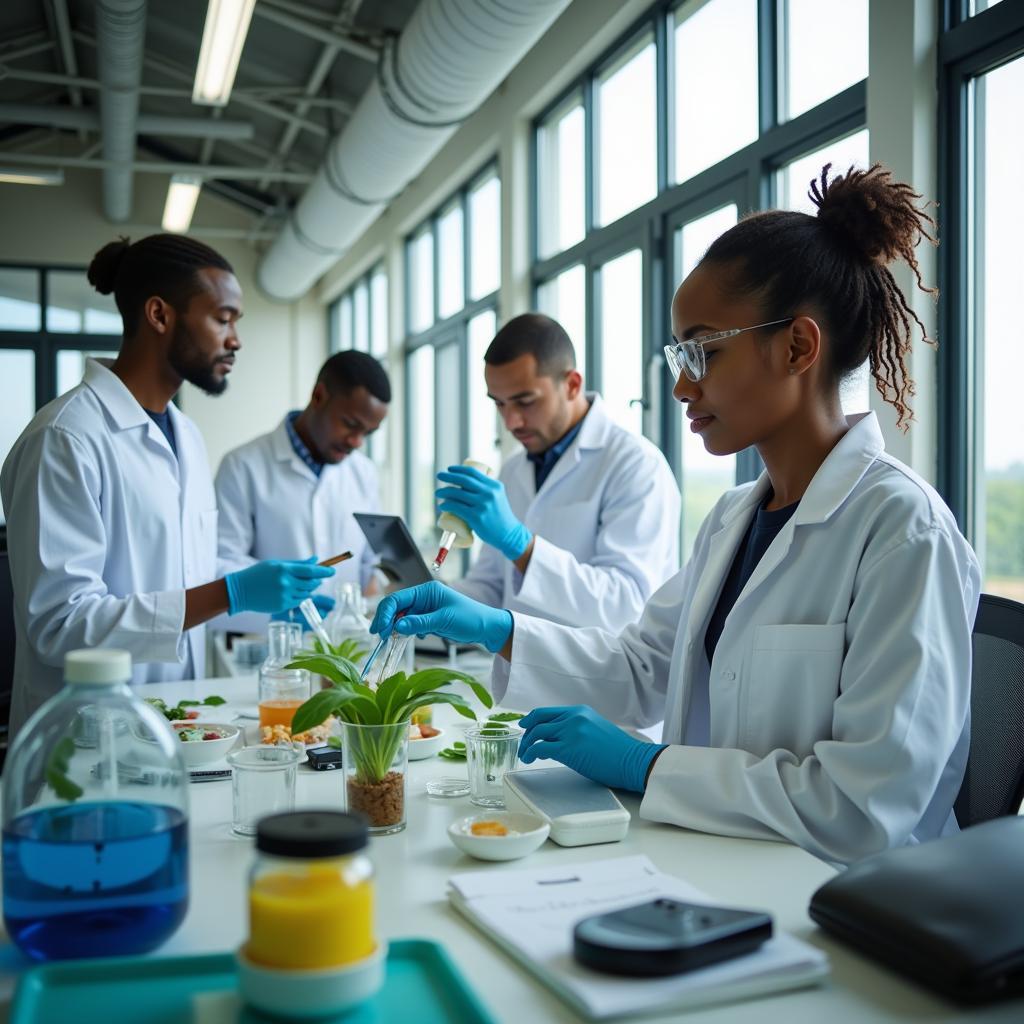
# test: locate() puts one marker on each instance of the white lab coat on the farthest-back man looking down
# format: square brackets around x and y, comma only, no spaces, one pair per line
[274,506]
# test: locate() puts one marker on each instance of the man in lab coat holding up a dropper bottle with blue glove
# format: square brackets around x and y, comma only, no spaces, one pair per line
[582,526]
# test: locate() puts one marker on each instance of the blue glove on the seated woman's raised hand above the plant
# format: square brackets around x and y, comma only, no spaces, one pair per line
[433,608]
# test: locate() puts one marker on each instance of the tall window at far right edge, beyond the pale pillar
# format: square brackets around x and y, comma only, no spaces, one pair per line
[983,360]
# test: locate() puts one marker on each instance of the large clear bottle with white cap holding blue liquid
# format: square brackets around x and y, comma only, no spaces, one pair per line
[96,821]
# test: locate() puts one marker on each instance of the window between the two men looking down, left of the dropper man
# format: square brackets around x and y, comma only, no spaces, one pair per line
[453,266]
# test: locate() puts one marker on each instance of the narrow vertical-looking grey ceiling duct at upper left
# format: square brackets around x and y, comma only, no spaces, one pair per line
[120,39]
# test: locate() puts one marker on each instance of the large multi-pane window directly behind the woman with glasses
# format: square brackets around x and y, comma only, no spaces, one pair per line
[702,112]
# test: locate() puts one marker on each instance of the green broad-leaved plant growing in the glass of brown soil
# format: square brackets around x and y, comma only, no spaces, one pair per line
[391,707]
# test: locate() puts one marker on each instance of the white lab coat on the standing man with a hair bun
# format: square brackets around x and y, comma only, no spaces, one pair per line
[106,530]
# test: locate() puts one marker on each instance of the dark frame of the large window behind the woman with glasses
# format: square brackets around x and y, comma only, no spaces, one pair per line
[751,172]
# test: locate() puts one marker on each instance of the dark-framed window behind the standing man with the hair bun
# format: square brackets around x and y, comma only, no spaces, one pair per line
[52,320]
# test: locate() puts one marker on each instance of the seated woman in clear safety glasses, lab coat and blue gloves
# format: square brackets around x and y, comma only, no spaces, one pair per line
[813,662]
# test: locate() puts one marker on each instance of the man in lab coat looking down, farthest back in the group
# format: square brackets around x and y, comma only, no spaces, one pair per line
[295,489]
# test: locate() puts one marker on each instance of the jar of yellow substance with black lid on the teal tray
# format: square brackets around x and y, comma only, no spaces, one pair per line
[311,915]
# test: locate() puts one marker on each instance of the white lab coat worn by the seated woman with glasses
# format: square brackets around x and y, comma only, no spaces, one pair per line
[840,689]
